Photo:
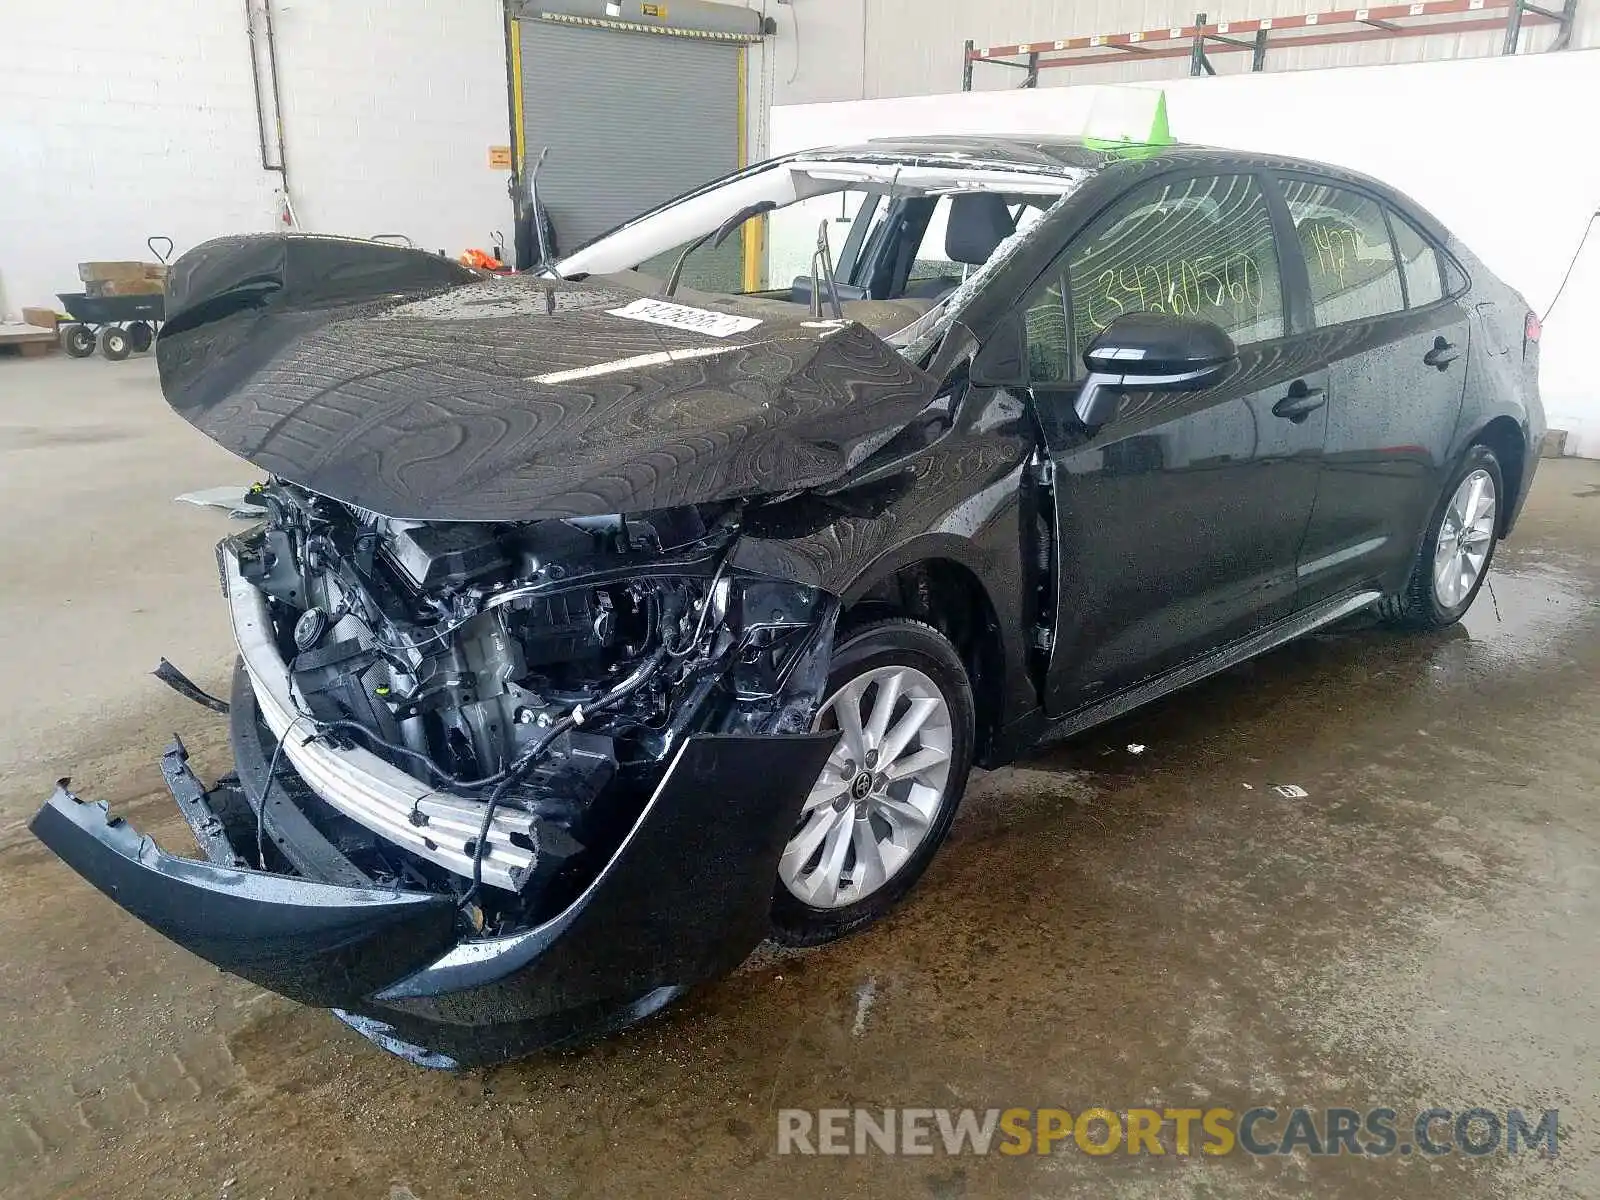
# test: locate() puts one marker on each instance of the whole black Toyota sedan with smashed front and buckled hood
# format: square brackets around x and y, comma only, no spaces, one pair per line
[606,622]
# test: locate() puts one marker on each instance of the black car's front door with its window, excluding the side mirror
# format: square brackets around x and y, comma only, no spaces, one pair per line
[1180,522]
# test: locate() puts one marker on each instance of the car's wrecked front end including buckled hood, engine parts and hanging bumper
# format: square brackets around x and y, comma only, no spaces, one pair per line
[524,713]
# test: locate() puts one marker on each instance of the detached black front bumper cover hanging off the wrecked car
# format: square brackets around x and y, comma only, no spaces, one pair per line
[684,900]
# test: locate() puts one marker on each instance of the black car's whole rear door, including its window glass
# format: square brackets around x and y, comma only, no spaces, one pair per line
[1396,345]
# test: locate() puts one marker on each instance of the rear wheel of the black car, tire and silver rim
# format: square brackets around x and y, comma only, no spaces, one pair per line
[1457,550]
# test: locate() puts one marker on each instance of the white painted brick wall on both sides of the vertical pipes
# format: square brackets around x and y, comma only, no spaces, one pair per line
[122,121]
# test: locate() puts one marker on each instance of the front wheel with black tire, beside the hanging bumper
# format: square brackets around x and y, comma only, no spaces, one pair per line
[886,801]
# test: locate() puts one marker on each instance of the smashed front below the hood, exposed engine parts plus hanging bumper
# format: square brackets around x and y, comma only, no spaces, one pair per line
[498,785]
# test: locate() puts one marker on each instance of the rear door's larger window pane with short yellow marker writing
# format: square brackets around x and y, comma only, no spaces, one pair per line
[1348,254]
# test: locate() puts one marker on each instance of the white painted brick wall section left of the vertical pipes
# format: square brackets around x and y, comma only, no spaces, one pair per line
[119,122]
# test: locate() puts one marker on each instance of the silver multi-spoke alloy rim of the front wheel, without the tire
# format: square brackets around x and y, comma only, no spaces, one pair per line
[881,791]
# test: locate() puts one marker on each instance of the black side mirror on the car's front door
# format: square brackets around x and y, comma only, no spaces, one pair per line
[1151,353]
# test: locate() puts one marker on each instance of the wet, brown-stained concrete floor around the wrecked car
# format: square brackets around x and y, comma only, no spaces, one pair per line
[1103,929]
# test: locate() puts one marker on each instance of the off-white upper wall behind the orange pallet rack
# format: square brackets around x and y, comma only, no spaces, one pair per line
[833,50]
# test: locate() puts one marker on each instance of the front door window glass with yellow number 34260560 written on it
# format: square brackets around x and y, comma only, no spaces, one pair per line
[1191,247]
